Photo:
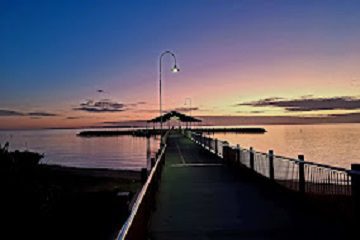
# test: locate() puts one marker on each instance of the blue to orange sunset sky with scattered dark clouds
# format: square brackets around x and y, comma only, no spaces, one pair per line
[89,63]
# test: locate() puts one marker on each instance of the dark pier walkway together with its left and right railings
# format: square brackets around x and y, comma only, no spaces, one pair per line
[202,188]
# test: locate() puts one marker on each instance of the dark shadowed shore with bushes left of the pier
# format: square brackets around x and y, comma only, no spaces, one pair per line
[51,202]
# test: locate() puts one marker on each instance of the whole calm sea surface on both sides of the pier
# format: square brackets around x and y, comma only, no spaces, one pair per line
[335,144]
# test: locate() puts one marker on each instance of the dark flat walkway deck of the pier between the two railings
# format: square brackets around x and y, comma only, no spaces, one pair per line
[199,198]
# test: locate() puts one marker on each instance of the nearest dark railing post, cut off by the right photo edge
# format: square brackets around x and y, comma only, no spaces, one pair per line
[355,188]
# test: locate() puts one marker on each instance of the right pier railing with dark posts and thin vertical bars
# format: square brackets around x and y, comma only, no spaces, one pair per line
[294,174]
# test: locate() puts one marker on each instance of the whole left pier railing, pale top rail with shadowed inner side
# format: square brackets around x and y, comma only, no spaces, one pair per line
[136,226]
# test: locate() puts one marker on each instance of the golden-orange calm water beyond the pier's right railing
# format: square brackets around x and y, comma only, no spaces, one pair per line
[336,145]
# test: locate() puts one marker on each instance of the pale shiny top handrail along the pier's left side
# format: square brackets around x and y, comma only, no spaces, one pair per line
[125,228]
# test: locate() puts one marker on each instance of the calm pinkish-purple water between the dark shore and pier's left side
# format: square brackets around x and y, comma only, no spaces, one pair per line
[63,147]
